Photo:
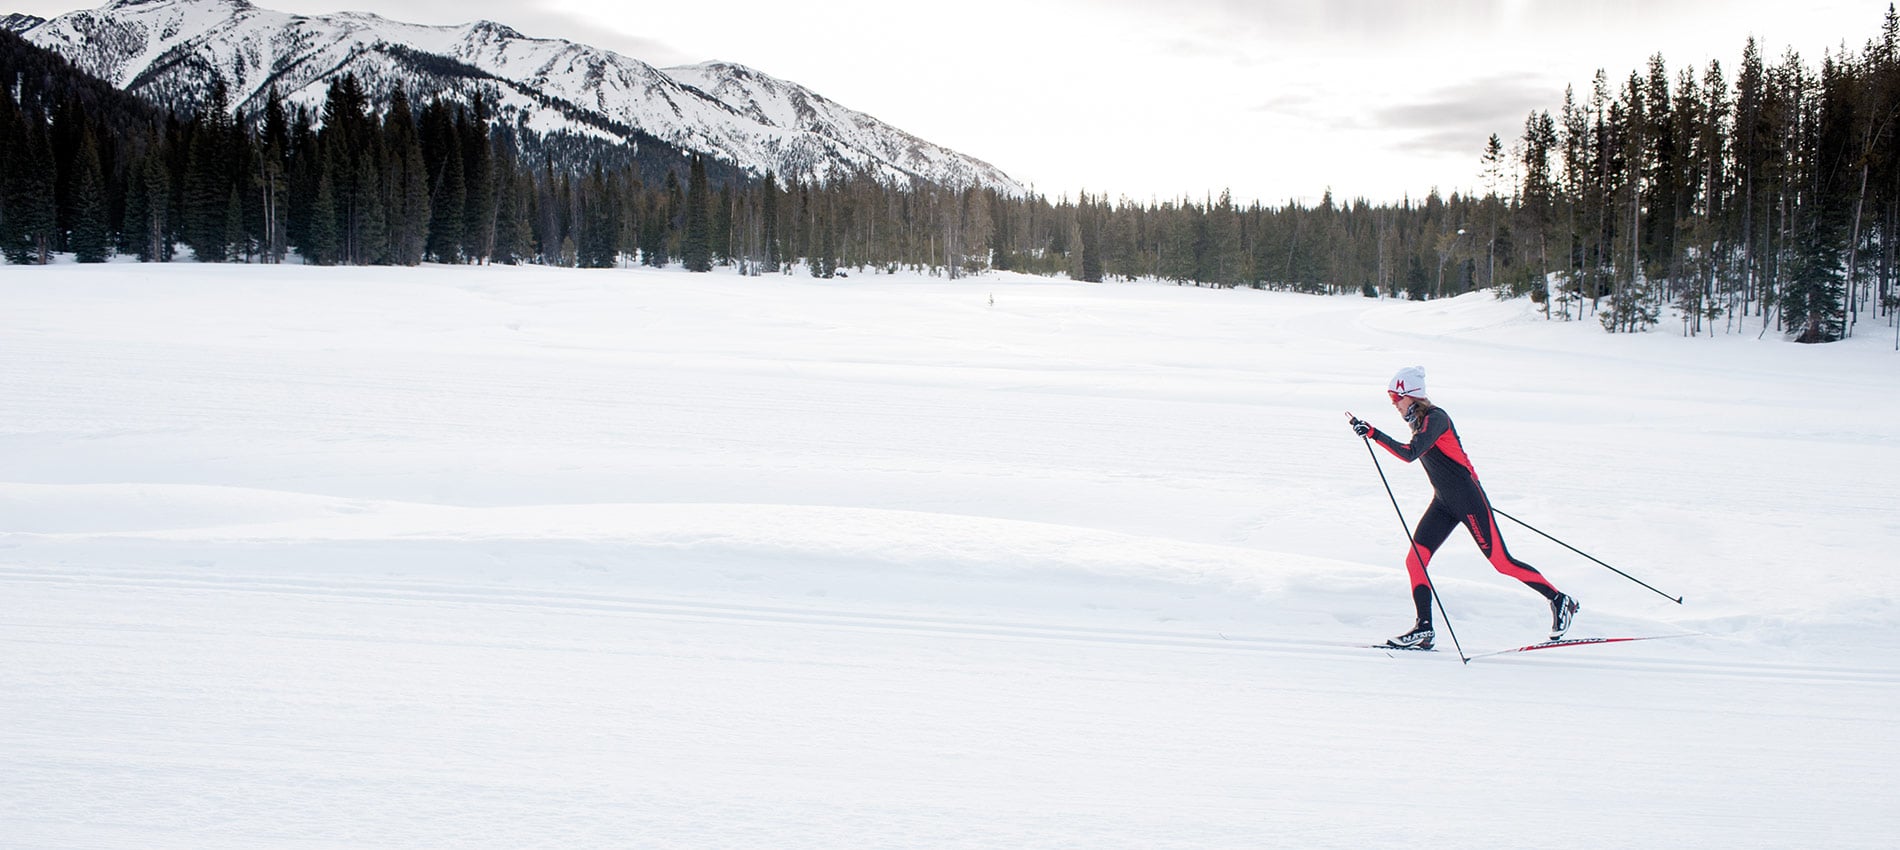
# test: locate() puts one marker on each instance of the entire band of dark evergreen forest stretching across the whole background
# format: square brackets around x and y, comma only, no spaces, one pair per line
[1762,203]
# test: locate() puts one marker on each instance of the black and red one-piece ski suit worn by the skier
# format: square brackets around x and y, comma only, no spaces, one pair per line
[1458,499]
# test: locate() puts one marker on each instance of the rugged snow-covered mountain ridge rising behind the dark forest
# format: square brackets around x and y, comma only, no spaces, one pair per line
[174,50]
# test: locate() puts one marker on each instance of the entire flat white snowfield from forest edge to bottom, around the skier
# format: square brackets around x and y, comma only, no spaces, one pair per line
[535,558]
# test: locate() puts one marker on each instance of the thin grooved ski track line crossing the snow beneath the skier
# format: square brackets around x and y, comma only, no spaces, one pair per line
[860,621]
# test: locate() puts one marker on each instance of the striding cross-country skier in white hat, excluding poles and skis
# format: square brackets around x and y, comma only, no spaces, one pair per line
[1458,499]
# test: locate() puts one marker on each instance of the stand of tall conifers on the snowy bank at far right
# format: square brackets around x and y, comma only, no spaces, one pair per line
[1774,195]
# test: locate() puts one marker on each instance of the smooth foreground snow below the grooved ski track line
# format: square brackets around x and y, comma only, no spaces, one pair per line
[413,710]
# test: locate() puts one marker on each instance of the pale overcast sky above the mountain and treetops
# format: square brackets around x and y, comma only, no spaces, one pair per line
[1274,100]
